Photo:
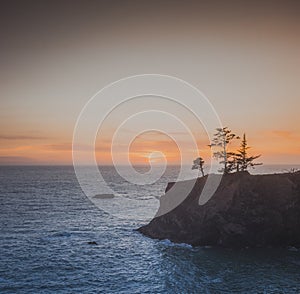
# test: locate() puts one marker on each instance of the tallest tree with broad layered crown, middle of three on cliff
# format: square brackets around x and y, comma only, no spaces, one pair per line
[222,139]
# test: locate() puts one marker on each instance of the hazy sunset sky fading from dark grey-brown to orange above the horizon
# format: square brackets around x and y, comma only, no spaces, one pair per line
[55,55]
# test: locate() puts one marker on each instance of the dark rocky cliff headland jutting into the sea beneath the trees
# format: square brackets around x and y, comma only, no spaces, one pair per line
[246,210]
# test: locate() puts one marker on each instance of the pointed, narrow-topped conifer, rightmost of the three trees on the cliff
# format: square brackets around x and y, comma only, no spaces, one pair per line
[241,158]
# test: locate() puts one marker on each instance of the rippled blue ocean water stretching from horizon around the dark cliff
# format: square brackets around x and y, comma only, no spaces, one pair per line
[47,222]
